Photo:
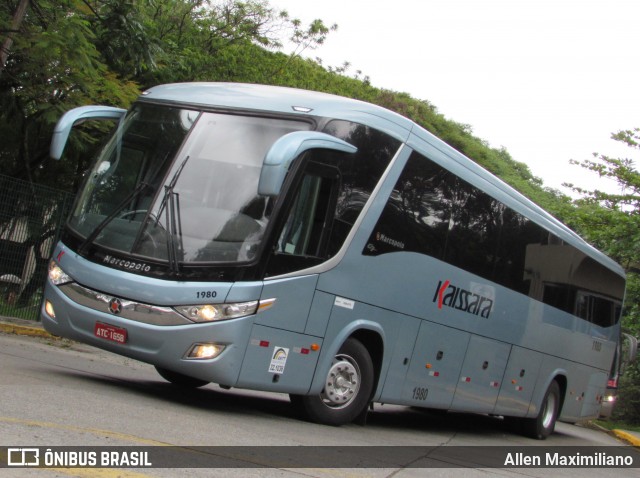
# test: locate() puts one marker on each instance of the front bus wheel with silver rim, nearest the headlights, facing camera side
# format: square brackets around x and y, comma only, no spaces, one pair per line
[347,390]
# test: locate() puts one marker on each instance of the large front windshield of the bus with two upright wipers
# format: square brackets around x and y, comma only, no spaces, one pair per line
[180,185]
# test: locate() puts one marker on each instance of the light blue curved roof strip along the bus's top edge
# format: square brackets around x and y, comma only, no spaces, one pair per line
[305,103]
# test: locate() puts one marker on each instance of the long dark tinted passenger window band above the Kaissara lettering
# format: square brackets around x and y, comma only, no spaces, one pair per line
[433,212]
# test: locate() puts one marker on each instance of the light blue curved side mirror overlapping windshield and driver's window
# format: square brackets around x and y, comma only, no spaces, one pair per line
[286,149]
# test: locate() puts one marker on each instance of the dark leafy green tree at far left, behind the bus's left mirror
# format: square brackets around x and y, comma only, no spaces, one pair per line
[54,65]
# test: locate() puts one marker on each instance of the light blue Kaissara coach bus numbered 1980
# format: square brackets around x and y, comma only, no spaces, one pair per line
[282,240]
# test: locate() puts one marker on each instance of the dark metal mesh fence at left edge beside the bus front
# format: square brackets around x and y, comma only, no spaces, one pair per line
[31,218]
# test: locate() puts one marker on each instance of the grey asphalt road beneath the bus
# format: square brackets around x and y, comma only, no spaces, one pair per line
[59,393]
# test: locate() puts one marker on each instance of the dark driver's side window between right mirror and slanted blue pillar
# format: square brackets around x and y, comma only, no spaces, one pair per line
[329,192]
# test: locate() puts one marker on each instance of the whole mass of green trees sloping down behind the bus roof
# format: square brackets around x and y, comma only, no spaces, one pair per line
[72,52]
